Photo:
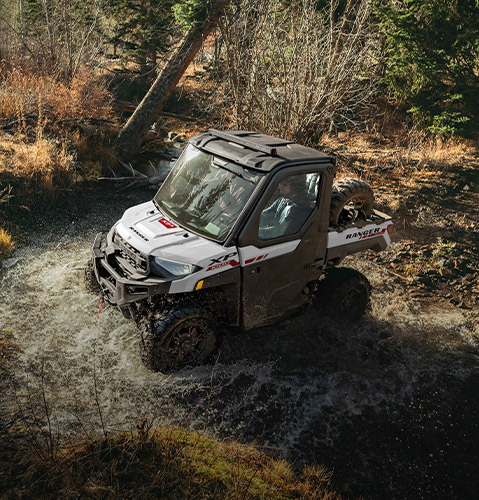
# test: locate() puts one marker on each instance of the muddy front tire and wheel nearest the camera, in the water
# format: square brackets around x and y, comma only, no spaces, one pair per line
[177,338]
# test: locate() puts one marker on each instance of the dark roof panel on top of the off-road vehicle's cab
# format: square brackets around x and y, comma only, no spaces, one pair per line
[255,150]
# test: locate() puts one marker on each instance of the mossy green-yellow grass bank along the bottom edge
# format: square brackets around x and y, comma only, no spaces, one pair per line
[166,463]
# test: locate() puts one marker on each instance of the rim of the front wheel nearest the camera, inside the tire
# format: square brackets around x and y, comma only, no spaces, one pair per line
[188,341]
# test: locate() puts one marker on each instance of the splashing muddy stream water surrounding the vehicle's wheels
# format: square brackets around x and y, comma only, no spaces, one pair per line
[390,404]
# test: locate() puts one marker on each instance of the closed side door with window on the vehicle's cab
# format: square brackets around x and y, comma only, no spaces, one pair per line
[283,246]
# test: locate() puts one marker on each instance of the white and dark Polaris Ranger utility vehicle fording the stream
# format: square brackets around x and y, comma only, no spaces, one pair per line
[245,230]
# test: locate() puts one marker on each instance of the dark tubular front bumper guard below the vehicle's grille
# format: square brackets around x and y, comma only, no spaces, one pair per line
[117,287]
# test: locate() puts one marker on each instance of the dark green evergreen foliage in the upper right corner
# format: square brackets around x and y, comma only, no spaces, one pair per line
[432,61]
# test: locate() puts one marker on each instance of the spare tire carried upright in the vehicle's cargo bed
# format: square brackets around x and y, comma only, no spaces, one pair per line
[351,199]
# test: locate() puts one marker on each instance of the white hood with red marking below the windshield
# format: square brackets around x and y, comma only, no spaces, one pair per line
[151,232]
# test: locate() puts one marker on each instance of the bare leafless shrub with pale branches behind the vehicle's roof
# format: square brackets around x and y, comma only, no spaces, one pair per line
[298,69]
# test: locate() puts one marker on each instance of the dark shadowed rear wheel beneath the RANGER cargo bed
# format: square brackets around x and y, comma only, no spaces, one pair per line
[343,294]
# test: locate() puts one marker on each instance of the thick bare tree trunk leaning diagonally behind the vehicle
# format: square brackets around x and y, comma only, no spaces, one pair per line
[129,138]
